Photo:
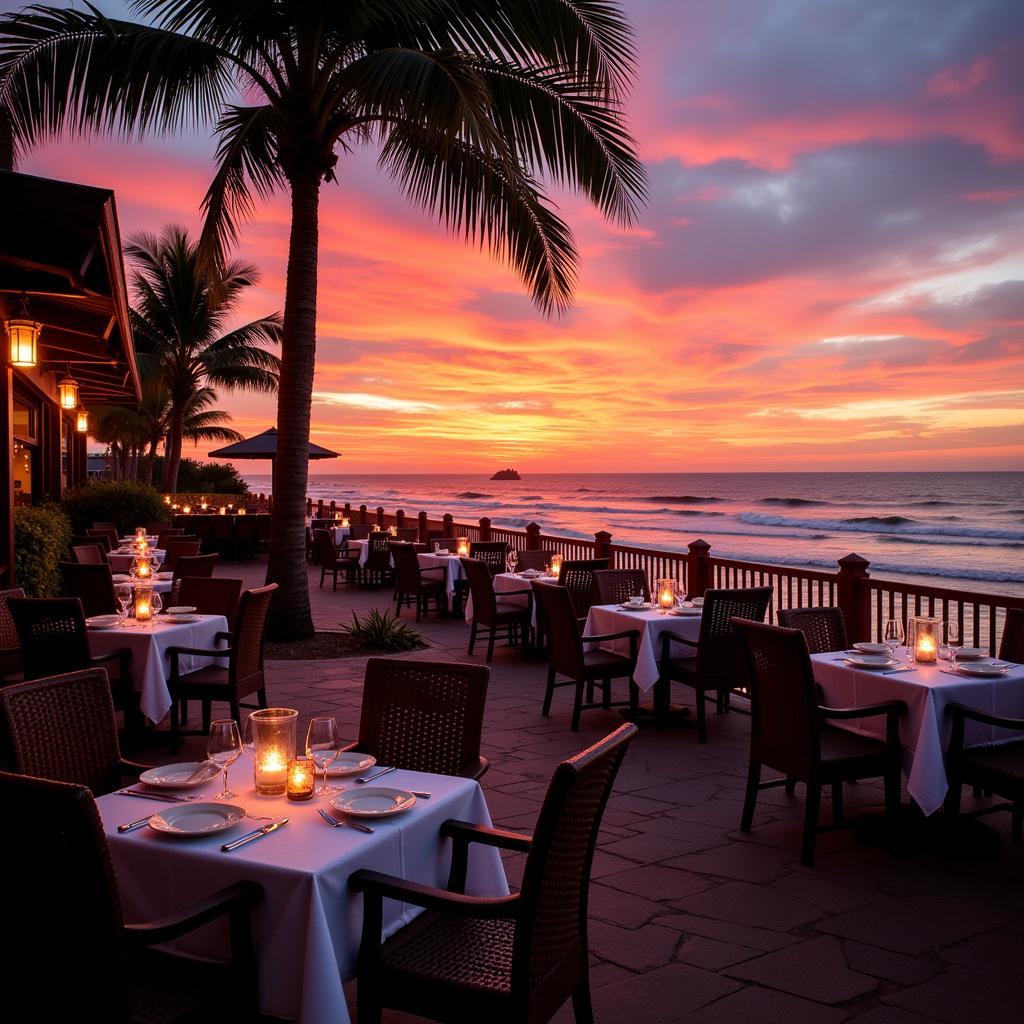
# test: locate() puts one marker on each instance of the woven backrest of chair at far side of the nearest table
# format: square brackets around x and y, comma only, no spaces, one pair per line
[424,716]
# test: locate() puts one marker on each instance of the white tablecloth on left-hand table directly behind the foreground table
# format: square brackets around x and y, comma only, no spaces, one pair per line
[150,662]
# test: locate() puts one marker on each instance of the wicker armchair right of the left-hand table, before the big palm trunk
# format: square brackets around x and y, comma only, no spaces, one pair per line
[243,676]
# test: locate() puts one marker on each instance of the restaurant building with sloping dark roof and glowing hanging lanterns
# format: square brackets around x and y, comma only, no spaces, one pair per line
[68,344]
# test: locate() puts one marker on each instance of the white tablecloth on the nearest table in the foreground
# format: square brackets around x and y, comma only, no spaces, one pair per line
[307,929]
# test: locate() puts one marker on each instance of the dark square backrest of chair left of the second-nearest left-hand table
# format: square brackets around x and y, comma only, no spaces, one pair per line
[52,634]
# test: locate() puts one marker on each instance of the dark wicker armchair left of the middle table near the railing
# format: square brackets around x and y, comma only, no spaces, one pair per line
[568,657]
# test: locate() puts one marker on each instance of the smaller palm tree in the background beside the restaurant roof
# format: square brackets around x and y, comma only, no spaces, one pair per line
[183,306]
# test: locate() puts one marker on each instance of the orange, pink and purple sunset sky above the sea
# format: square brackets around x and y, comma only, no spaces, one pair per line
[830,273]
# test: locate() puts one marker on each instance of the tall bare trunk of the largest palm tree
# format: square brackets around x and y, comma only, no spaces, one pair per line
[290,615]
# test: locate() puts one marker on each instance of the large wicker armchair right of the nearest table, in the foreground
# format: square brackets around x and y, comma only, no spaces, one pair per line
[506,960]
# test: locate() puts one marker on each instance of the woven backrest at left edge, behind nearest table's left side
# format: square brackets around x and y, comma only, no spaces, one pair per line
[64,729]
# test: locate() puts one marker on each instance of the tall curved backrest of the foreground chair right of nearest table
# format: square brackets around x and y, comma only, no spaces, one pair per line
[551,933]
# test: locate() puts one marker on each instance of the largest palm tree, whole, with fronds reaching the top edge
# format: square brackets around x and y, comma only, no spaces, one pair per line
[470,102]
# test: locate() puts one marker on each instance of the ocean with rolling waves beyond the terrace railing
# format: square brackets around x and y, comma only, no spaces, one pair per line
[949,530]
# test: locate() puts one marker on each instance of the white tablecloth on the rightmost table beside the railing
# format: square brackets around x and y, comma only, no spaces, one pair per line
[925,730]
